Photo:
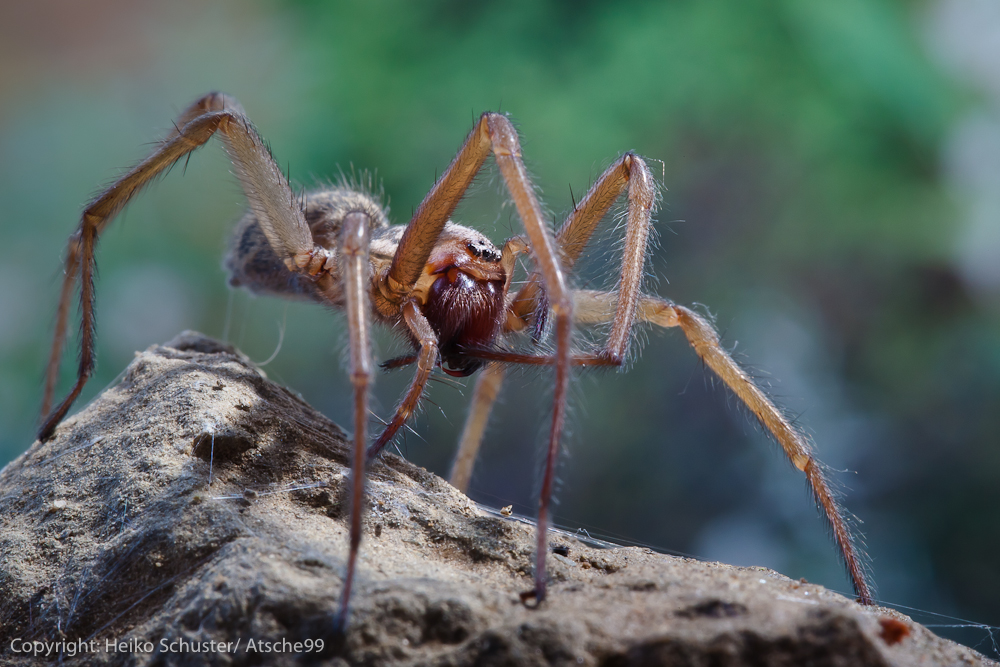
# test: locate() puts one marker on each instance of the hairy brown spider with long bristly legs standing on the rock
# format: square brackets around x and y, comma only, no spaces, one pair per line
[444,286]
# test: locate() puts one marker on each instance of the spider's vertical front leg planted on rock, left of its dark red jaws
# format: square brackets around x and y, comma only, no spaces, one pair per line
[354,269]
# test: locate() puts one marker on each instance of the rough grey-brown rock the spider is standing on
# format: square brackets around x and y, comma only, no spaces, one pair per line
[198,501]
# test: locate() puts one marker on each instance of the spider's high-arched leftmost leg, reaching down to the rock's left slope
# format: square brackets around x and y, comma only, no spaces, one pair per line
[266,188]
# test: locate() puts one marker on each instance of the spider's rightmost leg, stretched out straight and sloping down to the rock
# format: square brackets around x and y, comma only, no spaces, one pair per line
[596,307]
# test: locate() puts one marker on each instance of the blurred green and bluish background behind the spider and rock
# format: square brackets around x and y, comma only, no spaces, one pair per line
[832,194]
